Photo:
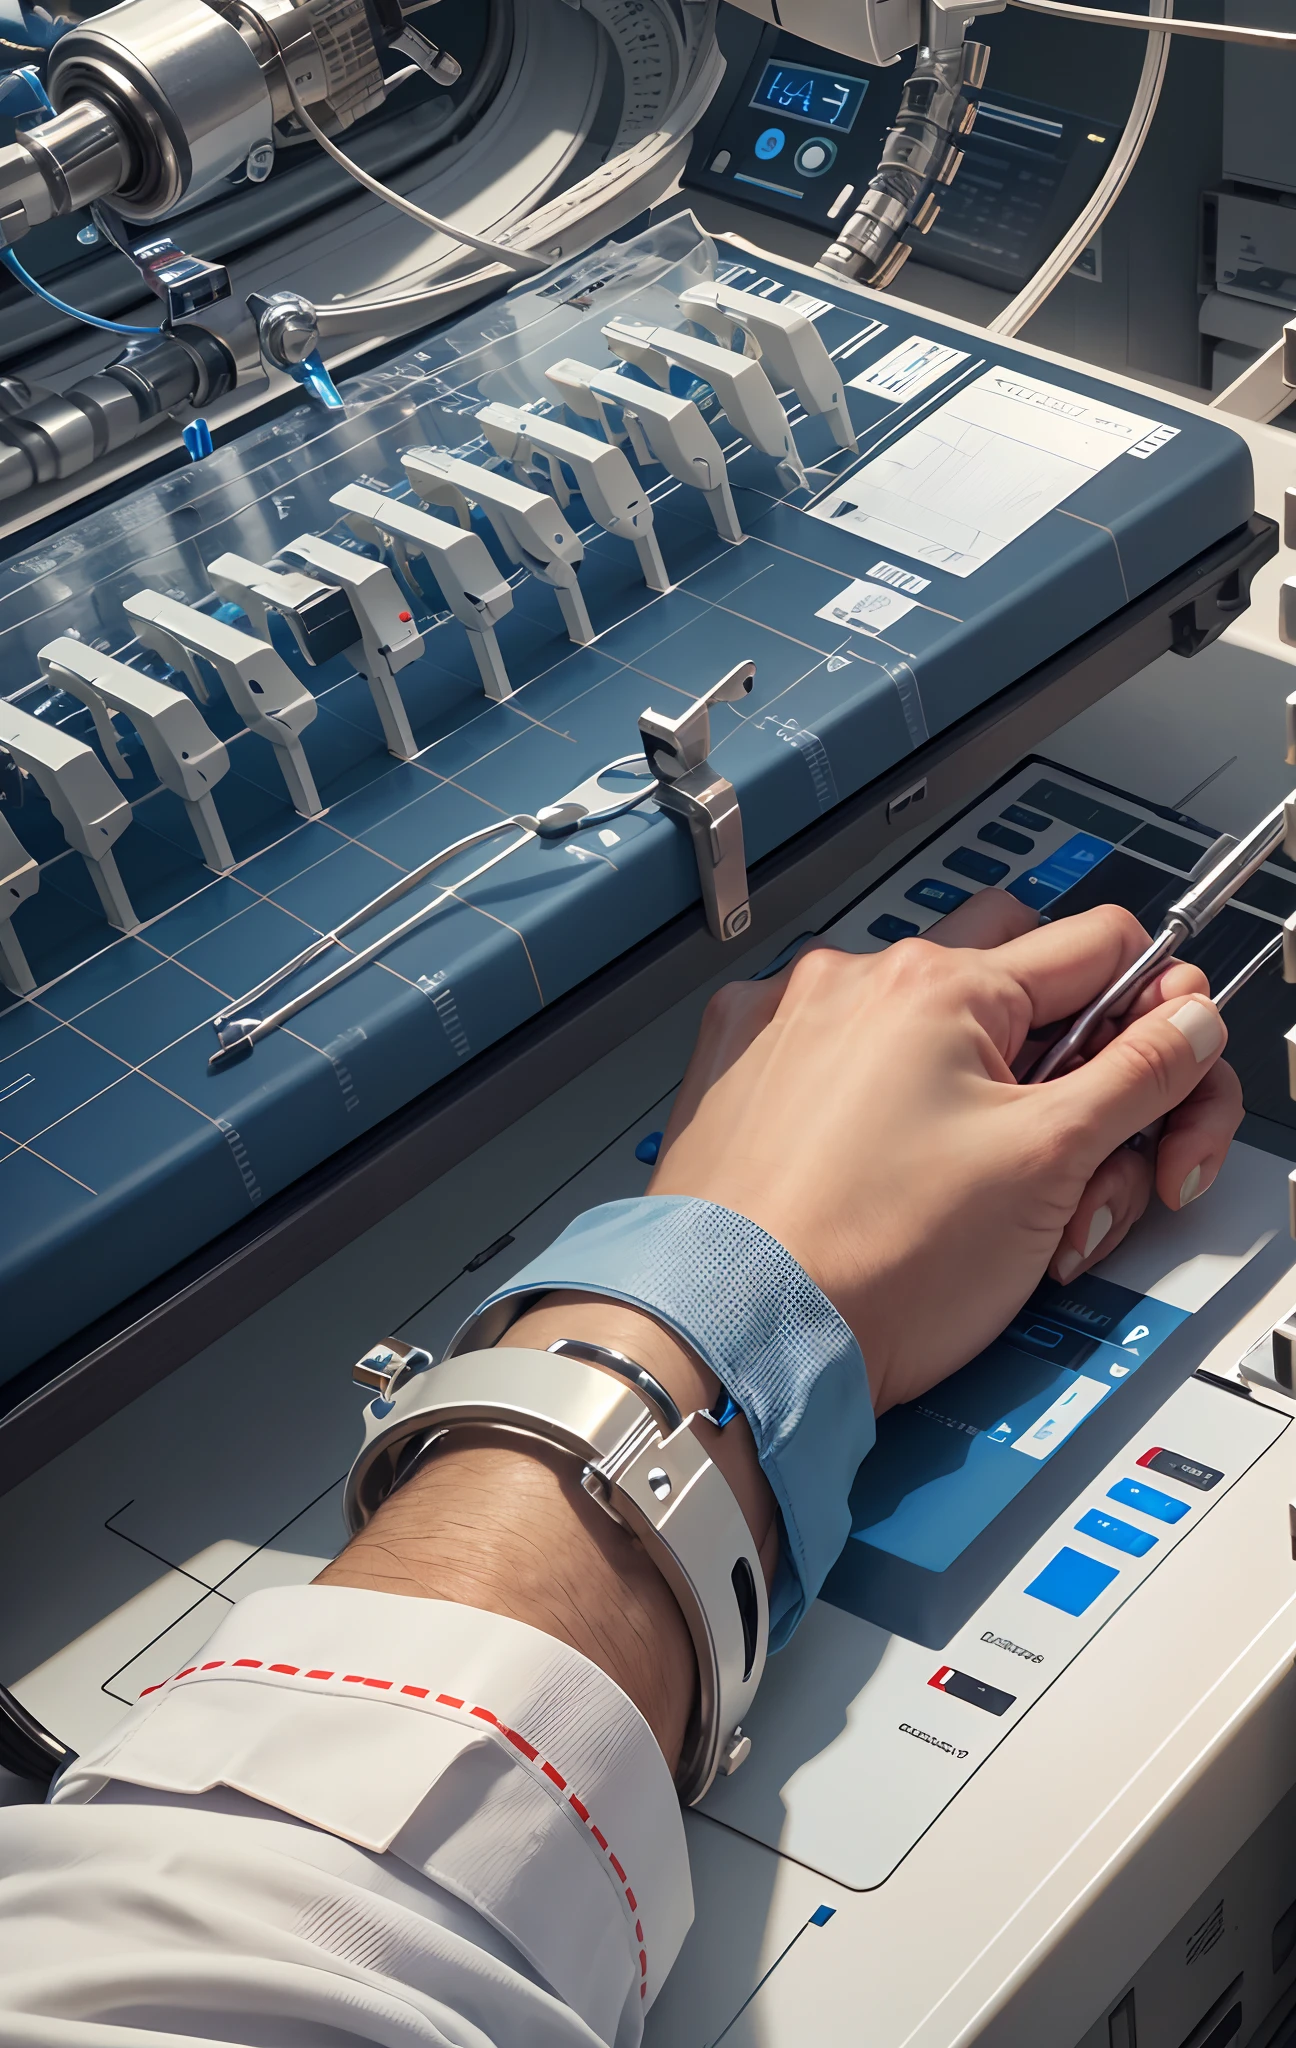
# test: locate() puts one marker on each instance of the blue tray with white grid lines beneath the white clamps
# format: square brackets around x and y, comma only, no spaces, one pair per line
[120,1154]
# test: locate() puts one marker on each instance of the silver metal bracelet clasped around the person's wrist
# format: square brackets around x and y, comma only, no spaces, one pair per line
[642,1461]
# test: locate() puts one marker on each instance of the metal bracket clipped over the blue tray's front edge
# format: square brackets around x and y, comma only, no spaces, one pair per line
[689,785]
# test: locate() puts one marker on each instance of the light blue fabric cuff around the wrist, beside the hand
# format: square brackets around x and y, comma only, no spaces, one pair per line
[763,1326]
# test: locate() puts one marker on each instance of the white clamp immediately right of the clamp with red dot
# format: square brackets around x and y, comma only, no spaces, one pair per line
[460,562]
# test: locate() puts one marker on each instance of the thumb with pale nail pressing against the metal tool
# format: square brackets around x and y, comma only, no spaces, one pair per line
[1143,1074]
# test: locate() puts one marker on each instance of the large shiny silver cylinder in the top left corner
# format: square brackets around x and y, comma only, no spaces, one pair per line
[181,87]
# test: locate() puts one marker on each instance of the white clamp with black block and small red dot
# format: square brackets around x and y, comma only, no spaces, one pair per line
[351,607]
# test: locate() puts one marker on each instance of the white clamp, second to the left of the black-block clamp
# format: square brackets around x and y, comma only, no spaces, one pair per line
[181,746]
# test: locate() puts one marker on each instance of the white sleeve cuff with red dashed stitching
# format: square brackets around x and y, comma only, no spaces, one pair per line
[478,1750]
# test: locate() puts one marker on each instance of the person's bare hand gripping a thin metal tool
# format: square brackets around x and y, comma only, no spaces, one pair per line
[865,1113]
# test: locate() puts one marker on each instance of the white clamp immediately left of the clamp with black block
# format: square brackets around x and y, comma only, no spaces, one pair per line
[257,681]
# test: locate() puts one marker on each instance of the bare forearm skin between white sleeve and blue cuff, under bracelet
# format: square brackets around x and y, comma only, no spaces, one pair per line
[503,1525]
